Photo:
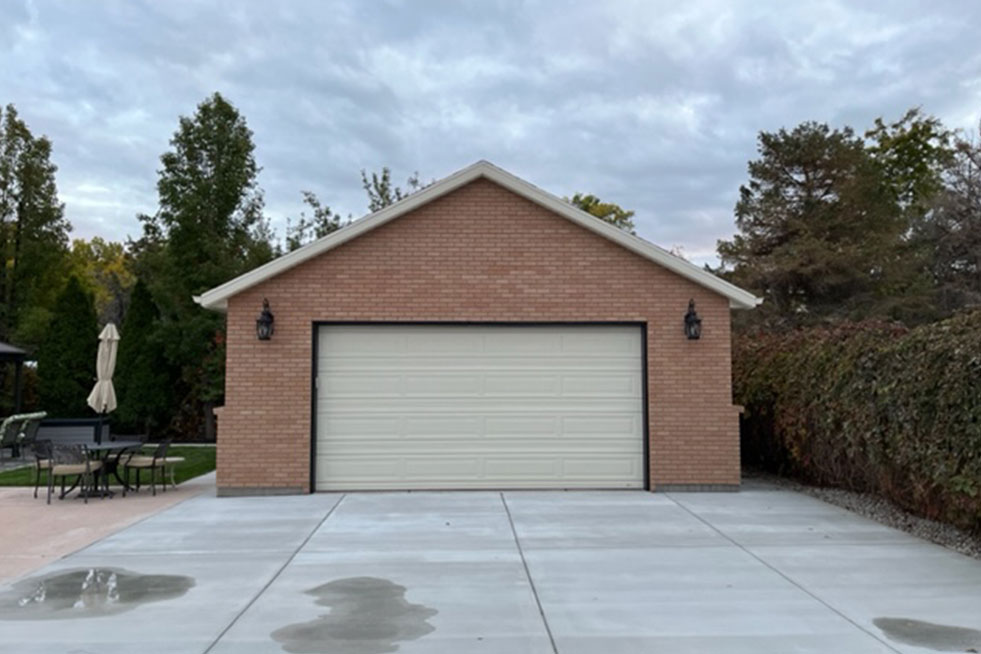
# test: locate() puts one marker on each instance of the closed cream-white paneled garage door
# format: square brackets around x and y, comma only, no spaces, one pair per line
[413,407]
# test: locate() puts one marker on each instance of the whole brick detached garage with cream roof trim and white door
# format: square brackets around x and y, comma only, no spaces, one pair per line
[481,333]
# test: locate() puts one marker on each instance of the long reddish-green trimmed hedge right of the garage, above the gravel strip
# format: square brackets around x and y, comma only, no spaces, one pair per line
[871,407]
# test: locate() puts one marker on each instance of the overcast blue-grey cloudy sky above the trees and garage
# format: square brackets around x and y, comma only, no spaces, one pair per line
[654,105]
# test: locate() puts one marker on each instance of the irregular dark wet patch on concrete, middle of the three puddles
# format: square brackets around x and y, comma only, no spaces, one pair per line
[367,616]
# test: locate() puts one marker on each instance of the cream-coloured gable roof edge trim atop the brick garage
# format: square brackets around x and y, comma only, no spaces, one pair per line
[217,298]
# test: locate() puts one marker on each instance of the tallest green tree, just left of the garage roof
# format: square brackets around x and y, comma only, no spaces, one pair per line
[208,229]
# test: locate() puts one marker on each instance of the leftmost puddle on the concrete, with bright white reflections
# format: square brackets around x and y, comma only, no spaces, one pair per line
[87,593]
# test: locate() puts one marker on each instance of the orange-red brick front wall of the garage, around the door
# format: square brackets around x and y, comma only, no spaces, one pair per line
[479,253]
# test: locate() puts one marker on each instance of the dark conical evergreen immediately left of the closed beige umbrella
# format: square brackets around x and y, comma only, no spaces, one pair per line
[66,357]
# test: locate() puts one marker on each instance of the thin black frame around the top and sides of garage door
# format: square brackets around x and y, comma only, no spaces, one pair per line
[315,342]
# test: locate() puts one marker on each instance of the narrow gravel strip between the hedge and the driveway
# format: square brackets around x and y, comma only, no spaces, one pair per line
[875,508]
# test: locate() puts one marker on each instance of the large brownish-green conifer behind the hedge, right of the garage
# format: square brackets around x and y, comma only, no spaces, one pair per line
[820,231]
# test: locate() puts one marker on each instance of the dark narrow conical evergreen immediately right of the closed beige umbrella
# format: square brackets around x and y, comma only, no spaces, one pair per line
[143,385]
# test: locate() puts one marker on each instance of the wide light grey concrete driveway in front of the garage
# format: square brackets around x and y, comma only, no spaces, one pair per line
[537,572]
